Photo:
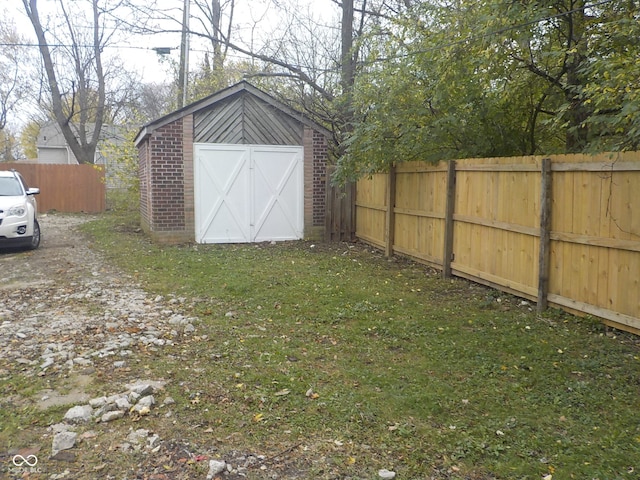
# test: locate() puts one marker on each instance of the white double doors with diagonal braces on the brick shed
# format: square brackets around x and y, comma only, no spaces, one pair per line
[248,193]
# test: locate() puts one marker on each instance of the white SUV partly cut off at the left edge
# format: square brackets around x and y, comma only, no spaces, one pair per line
[18,212]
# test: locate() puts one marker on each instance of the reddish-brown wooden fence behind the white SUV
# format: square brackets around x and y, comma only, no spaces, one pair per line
[65,188]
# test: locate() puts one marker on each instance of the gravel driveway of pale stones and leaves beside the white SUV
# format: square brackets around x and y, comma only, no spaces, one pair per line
[62,306]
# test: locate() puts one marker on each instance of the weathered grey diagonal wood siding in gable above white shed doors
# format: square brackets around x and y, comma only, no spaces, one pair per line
[246,120]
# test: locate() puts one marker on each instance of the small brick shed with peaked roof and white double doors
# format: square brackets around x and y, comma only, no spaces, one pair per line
[235,167]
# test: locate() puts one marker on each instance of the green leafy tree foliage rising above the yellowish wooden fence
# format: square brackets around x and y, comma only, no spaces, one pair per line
[487,78]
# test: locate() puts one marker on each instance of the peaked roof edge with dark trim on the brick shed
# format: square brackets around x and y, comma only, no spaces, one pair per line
[240,88]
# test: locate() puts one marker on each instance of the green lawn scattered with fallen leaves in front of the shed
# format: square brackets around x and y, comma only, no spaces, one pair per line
[354,363]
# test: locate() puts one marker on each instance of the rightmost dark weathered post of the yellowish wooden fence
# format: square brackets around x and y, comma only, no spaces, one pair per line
[545,235]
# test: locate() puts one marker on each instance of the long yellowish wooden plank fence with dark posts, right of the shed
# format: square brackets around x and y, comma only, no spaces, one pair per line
[560,230]
